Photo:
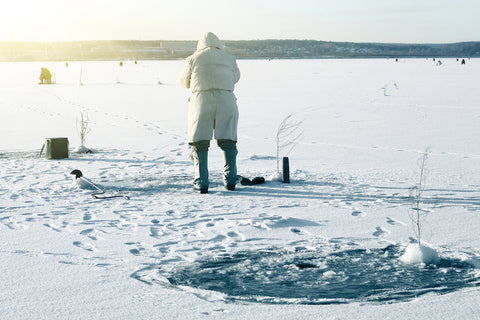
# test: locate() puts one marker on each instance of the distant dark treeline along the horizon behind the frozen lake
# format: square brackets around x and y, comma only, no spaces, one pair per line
[246,49]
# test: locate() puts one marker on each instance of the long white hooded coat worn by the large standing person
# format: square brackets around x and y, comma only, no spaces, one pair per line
[211,74]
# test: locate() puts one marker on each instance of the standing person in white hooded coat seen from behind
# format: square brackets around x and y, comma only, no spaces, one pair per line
[211,74]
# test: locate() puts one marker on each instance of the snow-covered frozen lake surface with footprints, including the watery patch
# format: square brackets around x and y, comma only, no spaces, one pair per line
[325,246]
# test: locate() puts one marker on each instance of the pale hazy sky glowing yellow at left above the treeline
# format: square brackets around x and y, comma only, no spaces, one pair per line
[388,21]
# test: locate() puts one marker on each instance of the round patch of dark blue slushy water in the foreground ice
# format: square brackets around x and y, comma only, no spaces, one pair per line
[307,277]
